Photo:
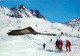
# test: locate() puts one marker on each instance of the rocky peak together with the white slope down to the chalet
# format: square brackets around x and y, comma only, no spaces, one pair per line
[23,17]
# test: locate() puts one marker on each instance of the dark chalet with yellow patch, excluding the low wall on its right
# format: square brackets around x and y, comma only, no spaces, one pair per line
[28,30]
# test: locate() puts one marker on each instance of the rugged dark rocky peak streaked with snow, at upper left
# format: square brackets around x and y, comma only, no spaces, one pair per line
[21,12]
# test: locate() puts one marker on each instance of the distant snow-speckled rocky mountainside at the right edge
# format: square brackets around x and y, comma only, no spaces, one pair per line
[75,23]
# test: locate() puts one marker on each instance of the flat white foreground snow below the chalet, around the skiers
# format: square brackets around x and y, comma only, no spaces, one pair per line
[24,45]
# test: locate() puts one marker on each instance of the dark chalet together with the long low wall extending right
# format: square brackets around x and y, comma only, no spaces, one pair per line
[28,30]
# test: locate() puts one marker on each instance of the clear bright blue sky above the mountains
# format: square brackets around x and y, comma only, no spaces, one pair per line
[54,10]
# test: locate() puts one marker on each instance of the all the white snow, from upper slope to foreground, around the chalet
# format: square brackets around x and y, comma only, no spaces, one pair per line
[31,45]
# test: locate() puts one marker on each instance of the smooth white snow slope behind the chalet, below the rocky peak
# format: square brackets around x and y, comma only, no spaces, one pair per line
[42,25]
